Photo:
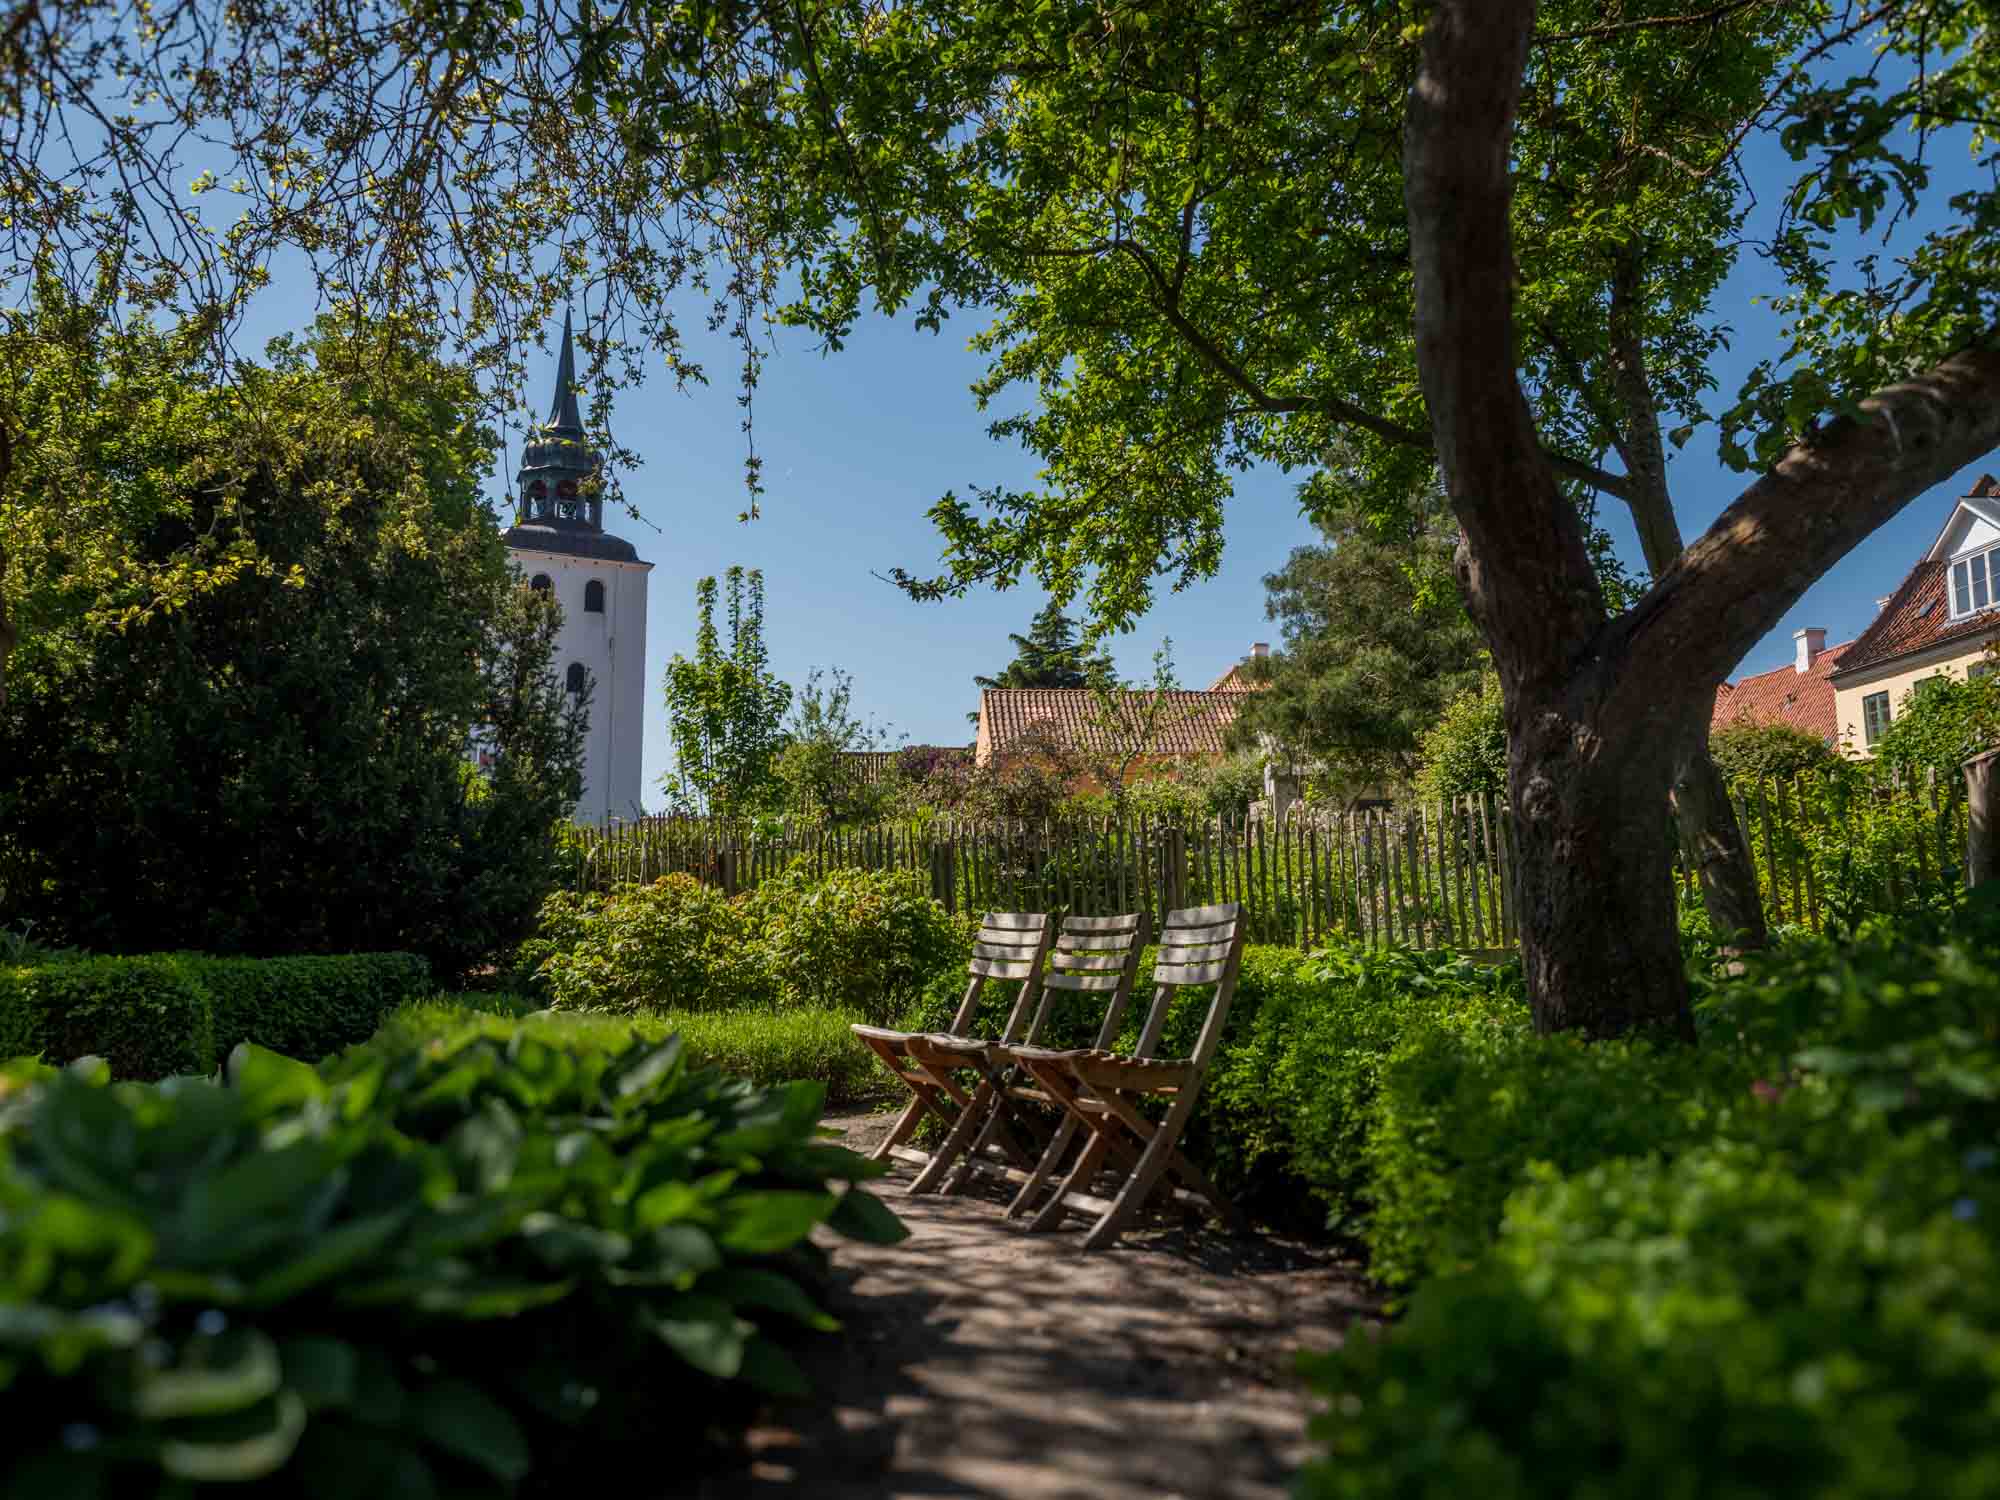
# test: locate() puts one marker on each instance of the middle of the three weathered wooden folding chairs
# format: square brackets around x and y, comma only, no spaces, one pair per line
[1095,957]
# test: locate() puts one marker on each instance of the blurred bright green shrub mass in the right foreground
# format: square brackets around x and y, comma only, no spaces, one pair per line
[1797,1297]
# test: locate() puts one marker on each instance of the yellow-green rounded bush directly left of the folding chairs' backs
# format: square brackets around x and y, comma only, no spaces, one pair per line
[865,939]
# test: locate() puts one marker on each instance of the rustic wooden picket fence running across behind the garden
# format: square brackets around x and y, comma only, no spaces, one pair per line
[1423,877]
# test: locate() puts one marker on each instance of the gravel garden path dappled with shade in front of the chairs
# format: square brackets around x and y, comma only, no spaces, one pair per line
[981,1361]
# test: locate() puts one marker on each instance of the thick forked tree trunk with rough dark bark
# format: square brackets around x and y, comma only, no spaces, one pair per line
[1601,711]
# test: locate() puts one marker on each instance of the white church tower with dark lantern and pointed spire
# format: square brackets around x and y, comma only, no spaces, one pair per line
[601,583]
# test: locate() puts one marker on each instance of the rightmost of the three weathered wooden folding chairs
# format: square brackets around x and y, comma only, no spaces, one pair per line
[1103,1091]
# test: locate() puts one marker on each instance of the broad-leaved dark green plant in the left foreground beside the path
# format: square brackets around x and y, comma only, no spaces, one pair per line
[453,1269]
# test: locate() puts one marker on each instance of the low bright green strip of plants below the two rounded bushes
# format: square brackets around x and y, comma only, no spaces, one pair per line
[767,1047]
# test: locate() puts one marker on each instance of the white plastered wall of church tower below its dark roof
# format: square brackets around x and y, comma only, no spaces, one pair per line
[613,651]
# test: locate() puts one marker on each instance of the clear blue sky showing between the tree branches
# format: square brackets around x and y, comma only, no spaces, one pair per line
[857,445]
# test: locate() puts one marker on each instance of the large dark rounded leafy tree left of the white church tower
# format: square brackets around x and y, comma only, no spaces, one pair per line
[265,631]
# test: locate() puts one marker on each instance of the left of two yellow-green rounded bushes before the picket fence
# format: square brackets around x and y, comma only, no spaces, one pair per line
[671,945]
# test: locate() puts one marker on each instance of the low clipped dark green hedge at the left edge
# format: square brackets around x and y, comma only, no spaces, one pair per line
[163,1015]
